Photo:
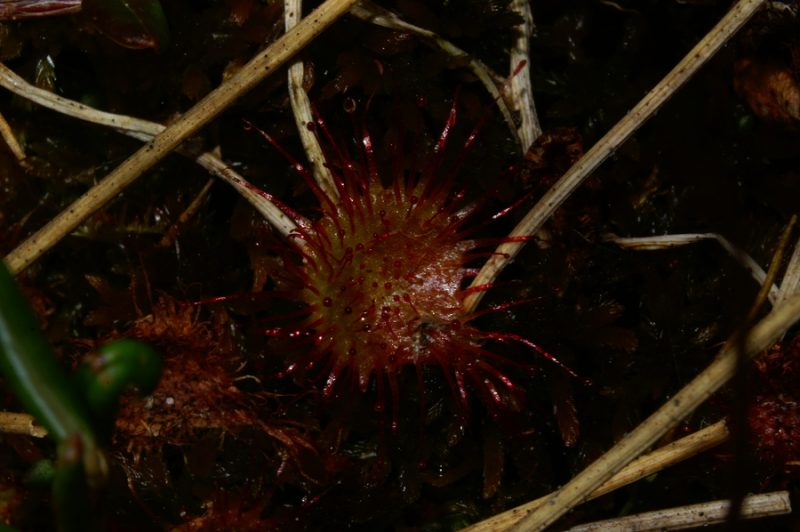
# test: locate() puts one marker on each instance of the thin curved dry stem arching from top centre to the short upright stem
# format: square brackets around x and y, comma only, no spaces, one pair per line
[380,16]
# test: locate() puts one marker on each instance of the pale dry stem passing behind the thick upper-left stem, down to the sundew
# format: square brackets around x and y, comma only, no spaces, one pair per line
[301,108]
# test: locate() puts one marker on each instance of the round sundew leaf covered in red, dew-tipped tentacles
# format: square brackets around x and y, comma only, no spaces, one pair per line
[381,275]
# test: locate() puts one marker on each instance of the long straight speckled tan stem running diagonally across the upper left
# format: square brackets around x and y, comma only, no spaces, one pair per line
[263,64]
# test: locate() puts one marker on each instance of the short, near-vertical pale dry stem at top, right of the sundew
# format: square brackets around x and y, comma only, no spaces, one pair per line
[520,87]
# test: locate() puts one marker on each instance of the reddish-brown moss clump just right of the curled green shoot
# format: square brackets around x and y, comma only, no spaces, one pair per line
[197,391]
